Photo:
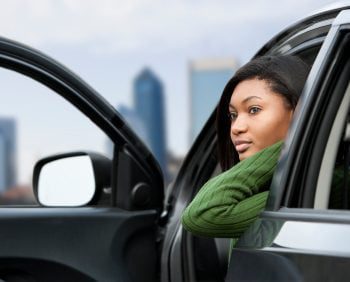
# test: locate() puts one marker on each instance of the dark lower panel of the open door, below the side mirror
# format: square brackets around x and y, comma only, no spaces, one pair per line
[97,244]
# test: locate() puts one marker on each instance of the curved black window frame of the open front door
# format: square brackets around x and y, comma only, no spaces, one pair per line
[128,147]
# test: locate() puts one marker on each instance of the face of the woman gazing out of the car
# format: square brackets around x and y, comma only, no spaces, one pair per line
[259,117]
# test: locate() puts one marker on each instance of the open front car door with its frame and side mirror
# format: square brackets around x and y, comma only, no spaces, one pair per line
[111,234]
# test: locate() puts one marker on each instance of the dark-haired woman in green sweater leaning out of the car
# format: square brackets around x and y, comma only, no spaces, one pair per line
[253,116]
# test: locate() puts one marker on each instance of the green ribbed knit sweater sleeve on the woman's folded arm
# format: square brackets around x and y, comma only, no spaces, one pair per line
[228,203]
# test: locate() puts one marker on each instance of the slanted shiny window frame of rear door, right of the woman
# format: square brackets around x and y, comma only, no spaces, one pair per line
[289,177]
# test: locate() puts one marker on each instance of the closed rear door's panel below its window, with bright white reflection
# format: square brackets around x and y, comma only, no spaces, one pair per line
[297,246]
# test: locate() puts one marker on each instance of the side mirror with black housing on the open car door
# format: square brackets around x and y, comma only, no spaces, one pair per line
[72,179]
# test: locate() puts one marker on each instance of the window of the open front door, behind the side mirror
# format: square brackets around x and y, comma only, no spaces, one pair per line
[35,123]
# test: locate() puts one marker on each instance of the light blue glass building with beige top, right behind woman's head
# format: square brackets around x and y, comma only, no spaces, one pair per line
[207,81]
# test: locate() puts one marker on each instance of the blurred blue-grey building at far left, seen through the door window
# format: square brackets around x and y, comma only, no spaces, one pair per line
[7,153]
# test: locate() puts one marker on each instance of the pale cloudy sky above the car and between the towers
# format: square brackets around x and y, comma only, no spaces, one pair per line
[108,42]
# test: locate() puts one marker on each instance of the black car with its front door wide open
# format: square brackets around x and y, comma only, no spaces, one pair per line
[123,228]
